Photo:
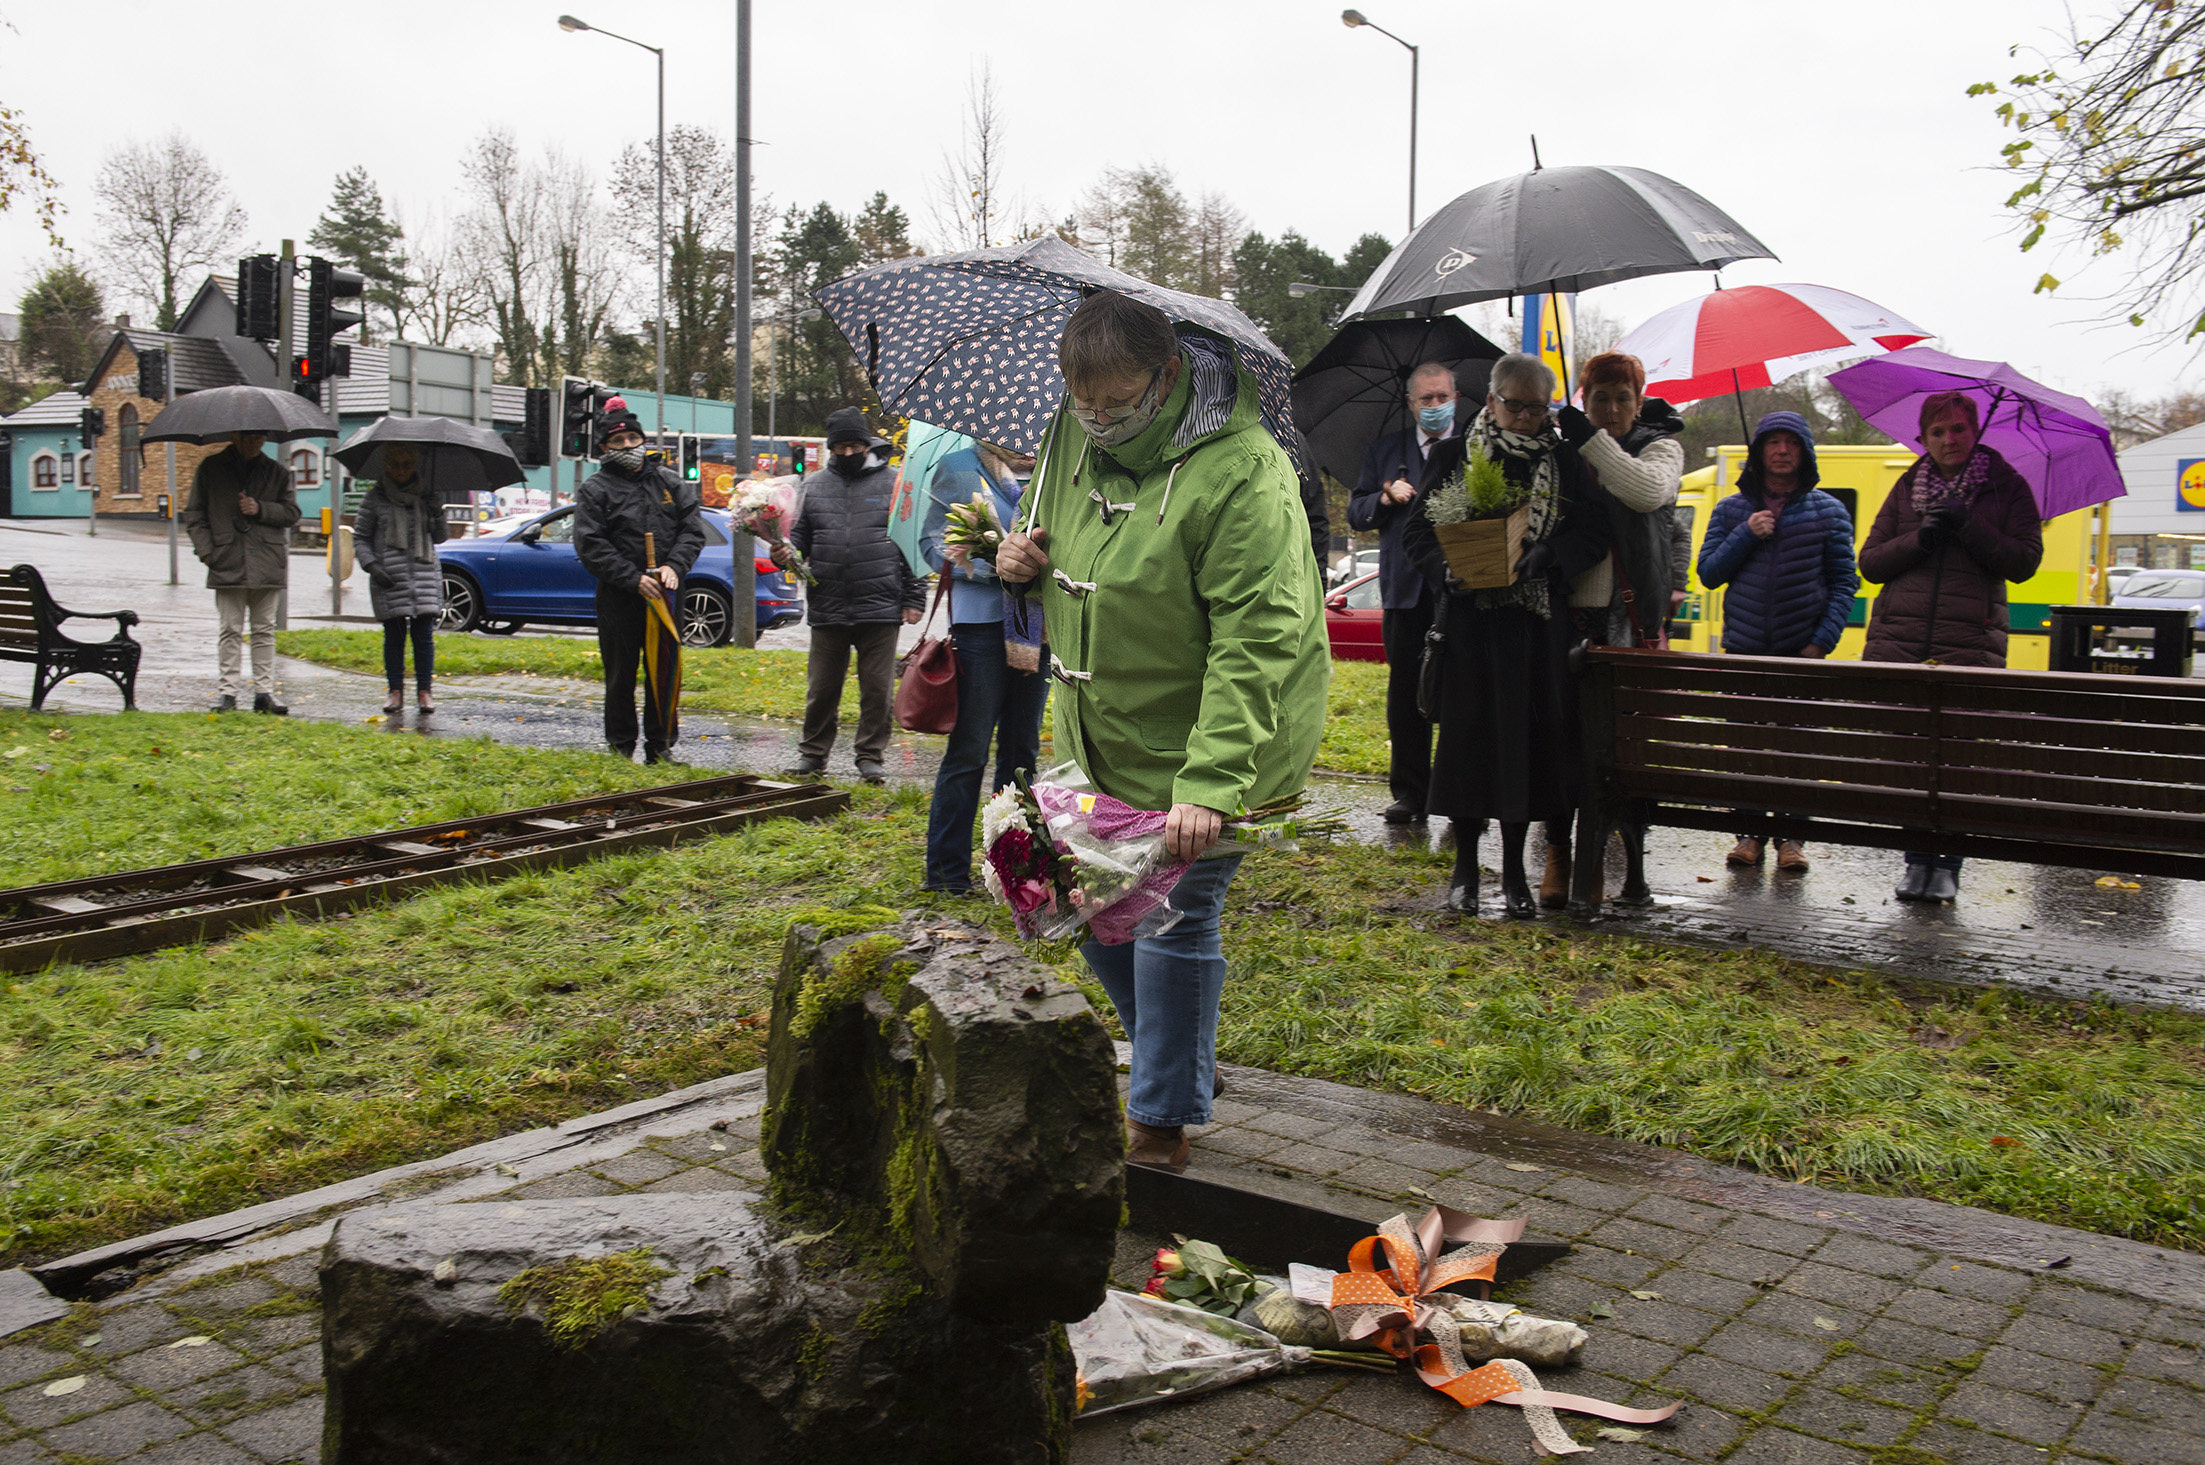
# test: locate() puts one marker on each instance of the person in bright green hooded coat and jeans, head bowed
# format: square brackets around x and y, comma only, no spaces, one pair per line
[1170,555]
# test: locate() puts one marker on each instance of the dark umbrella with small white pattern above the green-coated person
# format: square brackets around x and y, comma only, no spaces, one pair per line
[969,341]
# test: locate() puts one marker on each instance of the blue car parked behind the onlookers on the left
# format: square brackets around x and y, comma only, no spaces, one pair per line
[530,575]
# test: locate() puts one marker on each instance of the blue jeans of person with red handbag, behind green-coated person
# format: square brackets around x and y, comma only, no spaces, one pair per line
[993,703]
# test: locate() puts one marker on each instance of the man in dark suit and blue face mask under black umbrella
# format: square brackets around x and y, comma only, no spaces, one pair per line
[1386,493]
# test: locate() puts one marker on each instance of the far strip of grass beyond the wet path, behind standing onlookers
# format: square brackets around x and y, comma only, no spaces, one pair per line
[773,683]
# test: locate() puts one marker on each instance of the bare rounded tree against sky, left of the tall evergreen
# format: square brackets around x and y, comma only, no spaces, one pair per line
[169,215]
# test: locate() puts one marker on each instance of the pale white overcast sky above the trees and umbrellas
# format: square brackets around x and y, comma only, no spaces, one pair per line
[1838,133]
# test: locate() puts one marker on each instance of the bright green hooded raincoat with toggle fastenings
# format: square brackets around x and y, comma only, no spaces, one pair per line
[1205,639]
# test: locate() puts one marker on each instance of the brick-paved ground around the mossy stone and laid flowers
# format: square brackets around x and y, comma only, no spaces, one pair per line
[1794,1345]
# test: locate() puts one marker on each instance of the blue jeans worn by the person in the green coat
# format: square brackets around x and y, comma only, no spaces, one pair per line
[1168,994]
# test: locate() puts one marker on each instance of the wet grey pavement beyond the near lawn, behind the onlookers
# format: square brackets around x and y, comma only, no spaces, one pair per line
[2027,926]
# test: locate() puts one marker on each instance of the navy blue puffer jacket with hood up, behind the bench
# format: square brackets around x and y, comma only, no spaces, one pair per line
[1794,588]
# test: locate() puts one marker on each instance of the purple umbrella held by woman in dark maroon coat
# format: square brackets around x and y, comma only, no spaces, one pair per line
[2058,442]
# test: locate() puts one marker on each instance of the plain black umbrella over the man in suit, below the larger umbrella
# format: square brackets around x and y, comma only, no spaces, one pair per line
[1357,387]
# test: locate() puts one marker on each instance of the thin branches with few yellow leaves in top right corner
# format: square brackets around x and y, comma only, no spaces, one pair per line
[2111,142]
